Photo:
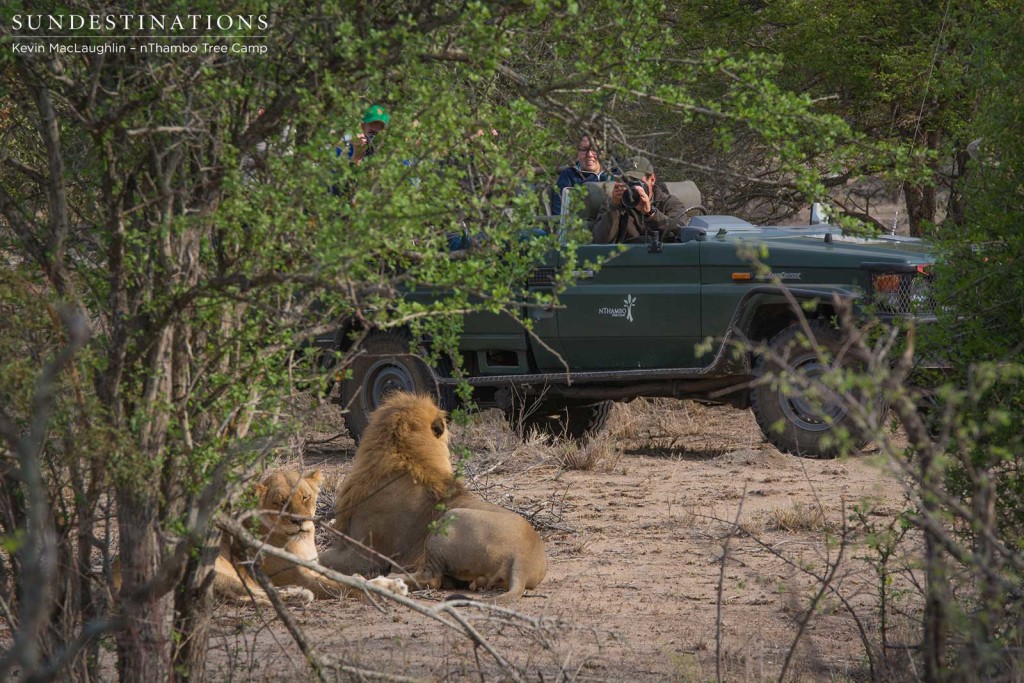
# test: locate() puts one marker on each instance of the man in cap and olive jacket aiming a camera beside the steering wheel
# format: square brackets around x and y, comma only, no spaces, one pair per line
[638,208]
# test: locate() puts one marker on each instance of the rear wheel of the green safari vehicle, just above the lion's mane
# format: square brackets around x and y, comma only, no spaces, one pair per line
[386,365]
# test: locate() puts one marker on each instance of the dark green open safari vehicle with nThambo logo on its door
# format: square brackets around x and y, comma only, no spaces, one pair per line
[635,328]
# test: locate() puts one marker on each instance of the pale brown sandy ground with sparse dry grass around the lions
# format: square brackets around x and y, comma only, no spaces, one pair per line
[649,580]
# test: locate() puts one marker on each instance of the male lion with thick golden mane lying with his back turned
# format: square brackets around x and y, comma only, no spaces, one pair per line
[401,477]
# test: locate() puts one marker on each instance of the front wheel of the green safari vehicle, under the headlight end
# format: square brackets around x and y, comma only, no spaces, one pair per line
[808,424]
